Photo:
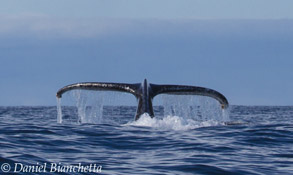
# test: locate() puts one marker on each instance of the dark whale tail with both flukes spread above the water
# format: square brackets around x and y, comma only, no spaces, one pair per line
[145,92]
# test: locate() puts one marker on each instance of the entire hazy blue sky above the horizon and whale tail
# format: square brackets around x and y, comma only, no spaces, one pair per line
[243,49]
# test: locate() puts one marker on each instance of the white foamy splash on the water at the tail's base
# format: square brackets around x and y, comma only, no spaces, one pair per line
[171,123]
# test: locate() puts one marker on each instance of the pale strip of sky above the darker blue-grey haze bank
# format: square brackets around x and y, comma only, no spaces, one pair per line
[170,9]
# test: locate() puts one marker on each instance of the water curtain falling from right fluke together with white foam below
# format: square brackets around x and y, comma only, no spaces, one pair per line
[184,112]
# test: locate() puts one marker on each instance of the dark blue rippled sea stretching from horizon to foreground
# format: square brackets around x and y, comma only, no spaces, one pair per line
[255,140]
